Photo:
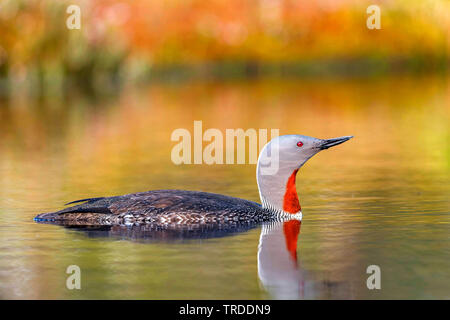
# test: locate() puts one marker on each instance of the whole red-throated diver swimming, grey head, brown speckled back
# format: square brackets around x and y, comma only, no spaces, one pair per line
[278,164]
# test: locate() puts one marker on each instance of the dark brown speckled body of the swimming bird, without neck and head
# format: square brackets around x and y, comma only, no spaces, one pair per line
[162,207]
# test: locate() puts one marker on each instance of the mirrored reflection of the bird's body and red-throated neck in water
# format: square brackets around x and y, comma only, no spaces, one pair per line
[279,269]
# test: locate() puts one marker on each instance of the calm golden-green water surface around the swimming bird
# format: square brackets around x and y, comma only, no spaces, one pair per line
[381,198]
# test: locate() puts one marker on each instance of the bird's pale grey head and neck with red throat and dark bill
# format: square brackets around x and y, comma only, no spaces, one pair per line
[278,163]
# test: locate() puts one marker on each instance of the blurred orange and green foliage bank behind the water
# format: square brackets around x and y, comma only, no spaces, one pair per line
[138,39]
